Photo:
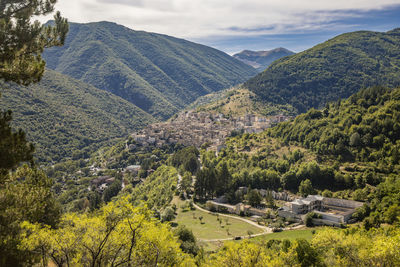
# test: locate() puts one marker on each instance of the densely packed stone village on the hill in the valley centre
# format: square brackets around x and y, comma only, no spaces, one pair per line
[197,128]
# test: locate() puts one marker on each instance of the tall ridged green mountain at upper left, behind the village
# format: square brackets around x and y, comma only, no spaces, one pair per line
[158,73]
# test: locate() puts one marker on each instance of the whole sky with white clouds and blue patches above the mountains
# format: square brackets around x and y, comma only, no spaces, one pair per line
[235,25]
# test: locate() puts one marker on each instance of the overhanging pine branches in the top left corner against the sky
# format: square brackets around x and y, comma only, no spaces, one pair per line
[22,41]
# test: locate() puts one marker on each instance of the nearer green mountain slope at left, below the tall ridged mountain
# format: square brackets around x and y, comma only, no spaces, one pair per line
[65,118]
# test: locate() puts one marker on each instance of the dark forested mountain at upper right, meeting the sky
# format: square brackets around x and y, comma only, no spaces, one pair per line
[332,70]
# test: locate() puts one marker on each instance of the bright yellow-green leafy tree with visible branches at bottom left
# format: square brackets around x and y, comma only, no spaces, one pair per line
[116,235]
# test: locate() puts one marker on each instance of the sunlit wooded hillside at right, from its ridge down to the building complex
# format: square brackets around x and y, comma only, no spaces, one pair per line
[351,150]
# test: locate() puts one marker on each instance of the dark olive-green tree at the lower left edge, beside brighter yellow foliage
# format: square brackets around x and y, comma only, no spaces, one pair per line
[25,195]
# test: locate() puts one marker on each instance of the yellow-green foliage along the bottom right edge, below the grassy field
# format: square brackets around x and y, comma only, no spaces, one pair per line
[329,247]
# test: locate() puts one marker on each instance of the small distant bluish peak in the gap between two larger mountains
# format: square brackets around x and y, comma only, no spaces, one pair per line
[262,59]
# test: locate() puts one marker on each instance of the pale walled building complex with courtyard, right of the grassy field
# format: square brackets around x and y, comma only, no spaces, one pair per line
[330,211]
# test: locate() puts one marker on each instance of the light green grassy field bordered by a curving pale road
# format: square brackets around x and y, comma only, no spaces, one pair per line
[209,227]
